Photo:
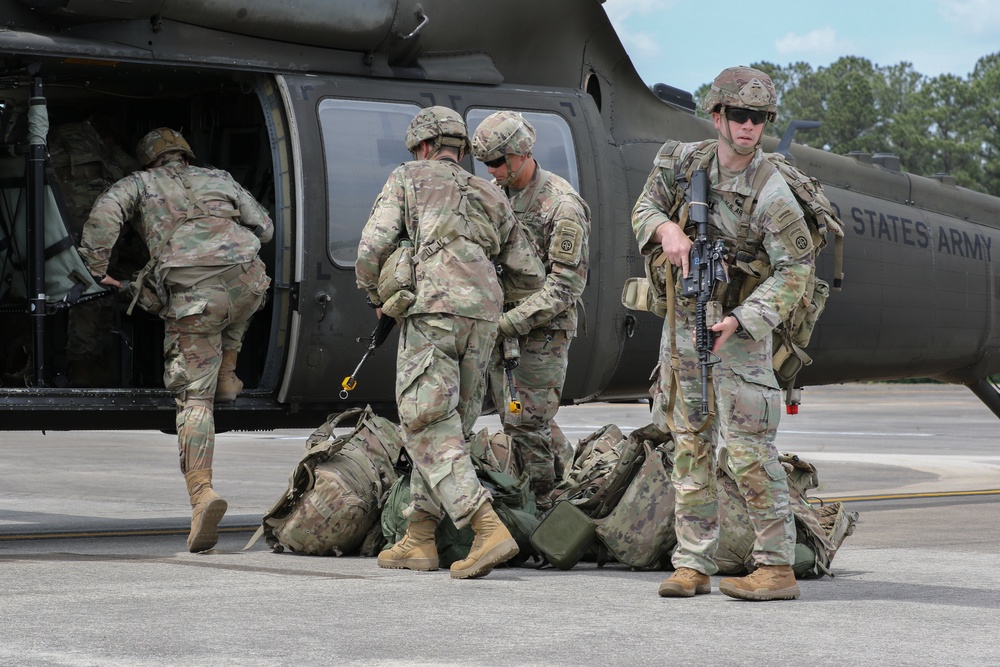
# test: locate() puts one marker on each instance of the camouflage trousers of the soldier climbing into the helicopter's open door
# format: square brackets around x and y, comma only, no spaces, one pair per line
[200,322]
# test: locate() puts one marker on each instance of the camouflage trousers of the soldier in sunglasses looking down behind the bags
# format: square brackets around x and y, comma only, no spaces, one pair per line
[542,449]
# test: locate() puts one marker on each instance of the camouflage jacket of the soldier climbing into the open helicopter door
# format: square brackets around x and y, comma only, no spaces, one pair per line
[215,221]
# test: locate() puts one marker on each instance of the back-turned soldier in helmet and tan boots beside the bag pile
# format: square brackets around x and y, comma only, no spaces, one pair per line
[460,226]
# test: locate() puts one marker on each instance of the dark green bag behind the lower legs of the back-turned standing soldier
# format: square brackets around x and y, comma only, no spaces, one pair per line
[494,460]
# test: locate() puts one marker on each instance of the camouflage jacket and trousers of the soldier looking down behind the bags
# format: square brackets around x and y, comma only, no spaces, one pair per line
[557,220]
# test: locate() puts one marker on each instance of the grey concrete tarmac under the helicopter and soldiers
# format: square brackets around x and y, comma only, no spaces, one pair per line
[94,569]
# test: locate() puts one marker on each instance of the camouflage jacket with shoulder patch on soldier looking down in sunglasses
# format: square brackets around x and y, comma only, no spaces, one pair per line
[557,220]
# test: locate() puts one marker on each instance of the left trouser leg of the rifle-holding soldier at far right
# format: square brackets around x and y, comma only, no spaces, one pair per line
[696,518]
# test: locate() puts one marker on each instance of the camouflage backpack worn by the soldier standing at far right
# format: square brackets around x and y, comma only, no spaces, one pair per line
[793,334]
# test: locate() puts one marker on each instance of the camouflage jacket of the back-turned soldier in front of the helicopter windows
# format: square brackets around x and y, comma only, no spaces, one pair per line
[430,202]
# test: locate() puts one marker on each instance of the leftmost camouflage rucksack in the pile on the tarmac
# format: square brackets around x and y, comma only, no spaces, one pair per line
[337,489]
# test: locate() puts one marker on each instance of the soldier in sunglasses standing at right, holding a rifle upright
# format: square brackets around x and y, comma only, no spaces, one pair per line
[741,101]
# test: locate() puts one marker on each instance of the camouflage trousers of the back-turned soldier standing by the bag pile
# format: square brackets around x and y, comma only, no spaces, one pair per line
[440,382]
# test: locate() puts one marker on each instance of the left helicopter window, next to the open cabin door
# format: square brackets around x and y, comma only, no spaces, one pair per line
[363,143]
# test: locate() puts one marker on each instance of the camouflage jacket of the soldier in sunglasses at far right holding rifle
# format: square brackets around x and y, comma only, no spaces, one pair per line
[776,221]
